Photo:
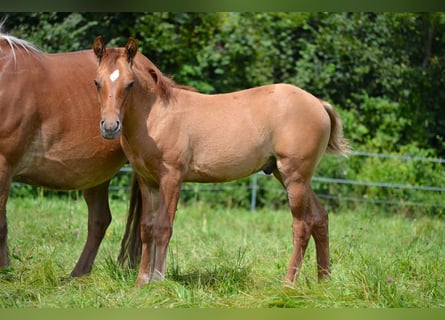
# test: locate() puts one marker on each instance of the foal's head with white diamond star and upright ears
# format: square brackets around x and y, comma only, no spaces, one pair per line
[114,81]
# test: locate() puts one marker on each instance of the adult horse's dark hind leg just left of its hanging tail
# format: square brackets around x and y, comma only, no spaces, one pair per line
[99,218]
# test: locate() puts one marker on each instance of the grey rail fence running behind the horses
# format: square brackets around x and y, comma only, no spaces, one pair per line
[253,187]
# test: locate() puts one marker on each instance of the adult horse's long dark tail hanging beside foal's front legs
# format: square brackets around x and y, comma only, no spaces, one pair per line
[131,242]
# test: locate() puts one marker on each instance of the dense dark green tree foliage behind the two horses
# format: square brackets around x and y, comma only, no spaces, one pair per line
[383,71]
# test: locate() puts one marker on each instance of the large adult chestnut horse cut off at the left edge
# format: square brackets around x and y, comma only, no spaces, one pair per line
[49,134]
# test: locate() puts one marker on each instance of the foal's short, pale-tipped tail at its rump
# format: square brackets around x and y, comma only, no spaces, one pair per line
[337,143]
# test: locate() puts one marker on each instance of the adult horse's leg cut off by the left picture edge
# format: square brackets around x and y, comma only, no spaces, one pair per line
[5,185]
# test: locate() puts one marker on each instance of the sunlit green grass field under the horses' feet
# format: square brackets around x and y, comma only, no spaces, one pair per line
[224,258]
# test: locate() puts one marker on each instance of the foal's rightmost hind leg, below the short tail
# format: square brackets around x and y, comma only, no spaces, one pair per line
[320,233]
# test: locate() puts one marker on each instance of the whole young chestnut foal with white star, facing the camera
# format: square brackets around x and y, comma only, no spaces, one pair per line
[171,135]
